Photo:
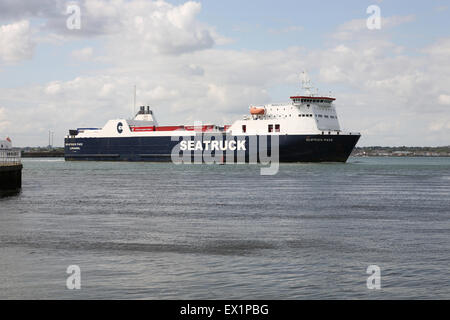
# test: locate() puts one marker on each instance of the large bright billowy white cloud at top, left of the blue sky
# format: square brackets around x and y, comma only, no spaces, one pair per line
[140,25]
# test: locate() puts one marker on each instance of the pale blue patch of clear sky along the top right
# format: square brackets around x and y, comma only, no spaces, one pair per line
[318,18]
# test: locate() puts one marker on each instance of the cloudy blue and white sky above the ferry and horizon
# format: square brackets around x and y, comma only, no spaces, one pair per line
[210,60]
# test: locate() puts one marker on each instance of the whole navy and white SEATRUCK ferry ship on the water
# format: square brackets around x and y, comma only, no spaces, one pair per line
[307,130]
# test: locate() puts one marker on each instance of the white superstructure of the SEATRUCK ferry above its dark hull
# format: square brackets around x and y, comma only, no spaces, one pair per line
[304,114]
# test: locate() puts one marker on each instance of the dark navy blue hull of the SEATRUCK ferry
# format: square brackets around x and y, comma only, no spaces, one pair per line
[292,148]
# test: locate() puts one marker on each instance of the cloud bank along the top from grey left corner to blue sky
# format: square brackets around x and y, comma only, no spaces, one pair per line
[142,25]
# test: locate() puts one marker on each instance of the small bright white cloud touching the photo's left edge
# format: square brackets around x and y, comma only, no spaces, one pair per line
[15,42]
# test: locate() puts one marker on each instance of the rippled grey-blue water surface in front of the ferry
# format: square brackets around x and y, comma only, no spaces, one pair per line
[164,231]
